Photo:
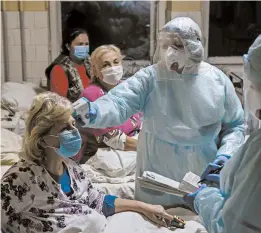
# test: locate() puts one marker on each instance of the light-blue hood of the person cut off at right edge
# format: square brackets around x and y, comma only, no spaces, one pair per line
[253,62]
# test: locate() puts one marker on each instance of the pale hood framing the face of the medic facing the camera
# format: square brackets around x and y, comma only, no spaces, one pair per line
[190,35]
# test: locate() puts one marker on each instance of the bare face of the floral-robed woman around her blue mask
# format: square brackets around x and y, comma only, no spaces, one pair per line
[56,129]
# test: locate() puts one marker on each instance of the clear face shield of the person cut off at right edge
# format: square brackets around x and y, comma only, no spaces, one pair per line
[252,109]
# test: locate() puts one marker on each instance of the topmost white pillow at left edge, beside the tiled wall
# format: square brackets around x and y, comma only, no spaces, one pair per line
[18,96]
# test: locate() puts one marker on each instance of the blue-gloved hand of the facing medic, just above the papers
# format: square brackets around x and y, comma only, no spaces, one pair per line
[211,168]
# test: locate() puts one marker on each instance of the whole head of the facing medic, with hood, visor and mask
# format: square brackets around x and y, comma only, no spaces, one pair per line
[179,47]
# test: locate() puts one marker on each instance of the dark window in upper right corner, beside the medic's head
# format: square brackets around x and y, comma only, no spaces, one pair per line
[233,27]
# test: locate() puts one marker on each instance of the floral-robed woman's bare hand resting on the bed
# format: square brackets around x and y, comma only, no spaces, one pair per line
[156,214]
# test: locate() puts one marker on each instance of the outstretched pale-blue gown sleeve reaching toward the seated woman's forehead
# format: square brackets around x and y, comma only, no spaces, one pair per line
[123,101]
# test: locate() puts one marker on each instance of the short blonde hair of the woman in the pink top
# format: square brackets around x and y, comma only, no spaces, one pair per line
[100,51]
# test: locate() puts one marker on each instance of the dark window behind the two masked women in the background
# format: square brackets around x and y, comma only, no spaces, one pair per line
[123,23]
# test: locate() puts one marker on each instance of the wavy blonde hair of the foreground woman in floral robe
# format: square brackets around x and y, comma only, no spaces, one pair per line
[46,110]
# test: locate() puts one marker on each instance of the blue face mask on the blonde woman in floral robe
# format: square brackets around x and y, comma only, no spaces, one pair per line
[70,143]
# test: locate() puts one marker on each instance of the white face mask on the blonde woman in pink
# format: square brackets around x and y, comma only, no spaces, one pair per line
[112,75]
